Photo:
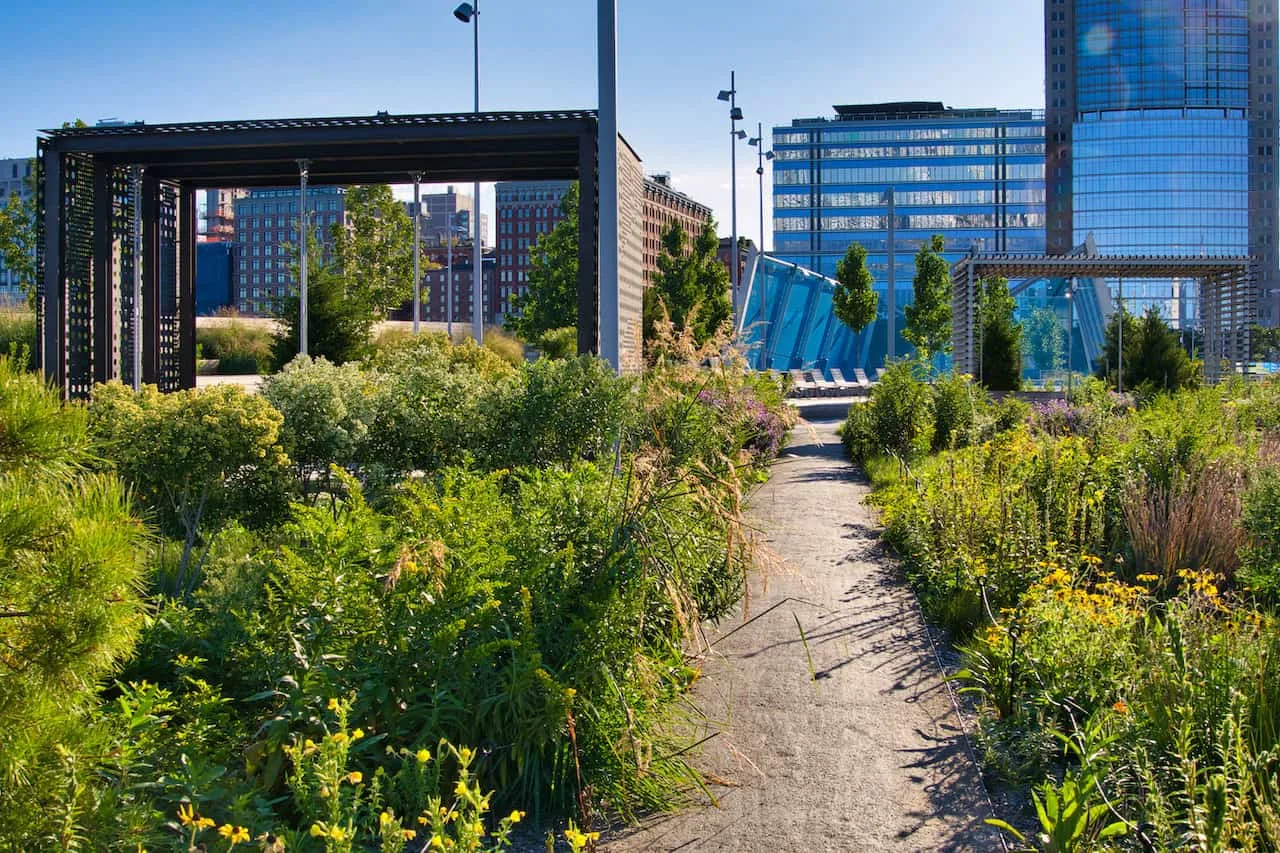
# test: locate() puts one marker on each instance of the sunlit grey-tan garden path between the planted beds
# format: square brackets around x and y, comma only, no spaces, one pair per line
[870,755]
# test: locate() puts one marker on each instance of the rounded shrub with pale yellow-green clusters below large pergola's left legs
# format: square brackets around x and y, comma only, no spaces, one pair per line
[194,460]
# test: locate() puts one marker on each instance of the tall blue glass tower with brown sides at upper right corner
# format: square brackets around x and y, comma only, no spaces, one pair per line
[1162,125]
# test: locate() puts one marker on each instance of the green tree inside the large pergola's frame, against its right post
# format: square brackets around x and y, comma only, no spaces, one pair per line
[551,302]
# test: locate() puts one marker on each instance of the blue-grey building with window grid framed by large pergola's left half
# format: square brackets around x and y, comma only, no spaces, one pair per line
[267,240]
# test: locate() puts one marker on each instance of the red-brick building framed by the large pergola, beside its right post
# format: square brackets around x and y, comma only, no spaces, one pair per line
[524,211]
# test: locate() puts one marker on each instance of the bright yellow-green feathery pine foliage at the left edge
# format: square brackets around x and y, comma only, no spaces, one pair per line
[71,562]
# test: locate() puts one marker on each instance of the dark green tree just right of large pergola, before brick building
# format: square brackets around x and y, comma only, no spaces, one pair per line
[692,286]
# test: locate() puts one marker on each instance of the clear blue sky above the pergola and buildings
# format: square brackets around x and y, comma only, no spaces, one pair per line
[177,61]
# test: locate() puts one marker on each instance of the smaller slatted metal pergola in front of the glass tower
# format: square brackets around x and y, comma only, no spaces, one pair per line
[1228,295]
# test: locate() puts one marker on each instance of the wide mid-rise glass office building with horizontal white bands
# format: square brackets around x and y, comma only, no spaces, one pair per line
[975,176]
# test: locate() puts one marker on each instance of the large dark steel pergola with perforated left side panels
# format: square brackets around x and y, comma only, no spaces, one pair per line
[88,197]
